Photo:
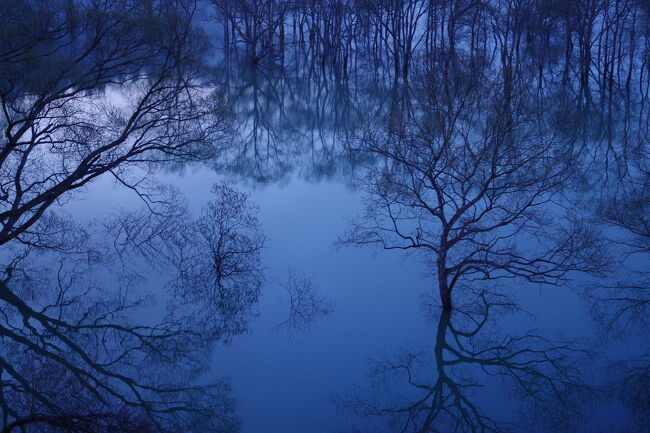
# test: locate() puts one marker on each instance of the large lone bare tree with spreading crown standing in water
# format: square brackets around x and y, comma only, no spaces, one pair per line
[473,180]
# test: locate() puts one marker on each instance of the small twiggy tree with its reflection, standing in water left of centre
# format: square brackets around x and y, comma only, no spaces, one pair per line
[219,263]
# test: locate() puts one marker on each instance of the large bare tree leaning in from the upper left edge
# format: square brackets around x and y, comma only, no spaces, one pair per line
[92,88]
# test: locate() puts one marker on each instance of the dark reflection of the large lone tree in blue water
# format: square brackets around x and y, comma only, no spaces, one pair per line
[454,385]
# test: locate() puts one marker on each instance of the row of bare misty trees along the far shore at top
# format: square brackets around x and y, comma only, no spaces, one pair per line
[599,48]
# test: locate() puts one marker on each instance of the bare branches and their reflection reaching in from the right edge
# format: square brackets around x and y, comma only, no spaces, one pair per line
[620,303]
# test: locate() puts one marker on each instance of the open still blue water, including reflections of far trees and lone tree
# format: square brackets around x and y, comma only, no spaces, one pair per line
[385,358]
